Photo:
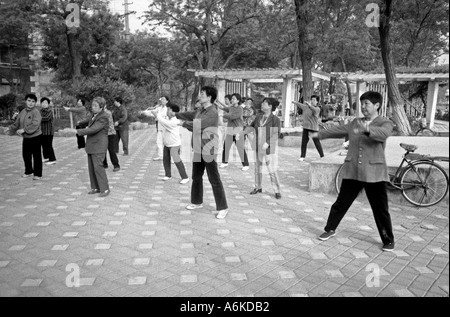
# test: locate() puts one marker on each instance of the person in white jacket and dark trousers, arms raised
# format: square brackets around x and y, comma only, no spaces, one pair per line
[171,140]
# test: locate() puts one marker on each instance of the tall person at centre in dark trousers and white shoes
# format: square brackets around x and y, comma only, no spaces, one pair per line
[203,123]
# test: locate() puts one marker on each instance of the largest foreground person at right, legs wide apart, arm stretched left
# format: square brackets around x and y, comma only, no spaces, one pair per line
[364,167]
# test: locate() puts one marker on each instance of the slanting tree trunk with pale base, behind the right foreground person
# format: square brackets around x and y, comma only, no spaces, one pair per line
[394,96]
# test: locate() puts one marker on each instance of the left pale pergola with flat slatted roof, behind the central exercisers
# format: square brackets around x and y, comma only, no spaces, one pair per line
[287,76]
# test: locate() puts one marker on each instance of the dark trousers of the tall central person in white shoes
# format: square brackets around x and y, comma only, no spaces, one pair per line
[198,169]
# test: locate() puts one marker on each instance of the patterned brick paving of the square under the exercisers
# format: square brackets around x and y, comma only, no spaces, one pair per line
[141,241]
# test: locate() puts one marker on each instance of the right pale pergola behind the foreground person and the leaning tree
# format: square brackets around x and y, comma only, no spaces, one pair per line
[433,79]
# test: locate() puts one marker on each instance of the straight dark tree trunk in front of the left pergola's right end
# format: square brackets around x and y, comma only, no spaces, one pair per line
[304,46]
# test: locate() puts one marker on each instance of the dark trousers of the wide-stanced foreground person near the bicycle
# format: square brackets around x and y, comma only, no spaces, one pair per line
[377,196]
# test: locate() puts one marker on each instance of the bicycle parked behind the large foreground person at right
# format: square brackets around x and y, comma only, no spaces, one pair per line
[423,182]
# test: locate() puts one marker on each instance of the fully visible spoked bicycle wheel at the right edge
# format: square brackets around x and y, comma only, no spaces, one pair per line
[424,184]
